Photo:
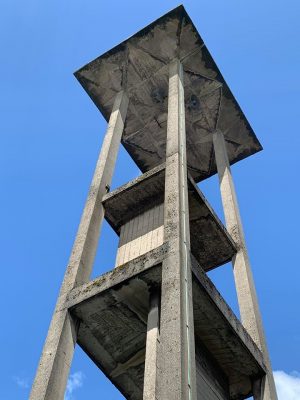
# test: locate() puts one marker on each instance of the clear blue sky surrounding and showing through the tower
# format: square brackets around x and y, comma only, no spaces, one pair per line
[50,137]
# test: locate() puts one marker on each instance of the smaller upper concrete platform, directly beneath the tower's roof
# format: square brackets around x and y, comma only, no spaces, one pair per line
[211,245]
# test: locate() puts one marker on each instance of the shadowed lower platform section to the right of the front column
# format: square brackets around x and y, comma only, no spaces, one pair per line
[218,329]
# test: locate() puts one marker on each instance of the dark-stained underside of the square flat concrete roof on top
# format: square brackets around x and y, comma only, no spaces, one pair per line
[140,65]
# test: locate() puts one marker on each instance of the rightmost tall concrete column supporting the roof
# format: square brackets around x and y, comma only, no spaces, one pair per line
[247,298]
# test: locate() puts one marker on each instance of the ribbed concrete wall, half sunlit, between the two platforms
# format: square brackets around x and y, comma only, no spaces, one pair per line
[140,235]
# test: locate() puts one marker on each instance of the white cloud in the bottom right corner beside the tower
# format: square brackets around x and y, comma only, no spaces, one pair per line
[287,385]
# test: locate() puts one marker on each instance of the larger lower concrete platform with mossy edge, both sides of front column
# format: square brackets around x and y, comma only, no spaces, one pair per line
[113,309]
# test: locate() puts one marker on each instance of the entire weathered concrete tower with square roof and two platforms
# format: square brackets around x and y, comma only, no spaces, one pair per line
[155,324]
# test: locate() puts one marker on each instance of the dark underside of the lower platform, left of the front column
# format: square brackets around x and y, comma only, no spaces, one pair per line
[113,329]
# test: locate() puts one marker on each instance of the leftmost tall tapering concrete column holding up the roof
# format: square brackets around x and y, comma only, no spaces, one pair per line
[56,358]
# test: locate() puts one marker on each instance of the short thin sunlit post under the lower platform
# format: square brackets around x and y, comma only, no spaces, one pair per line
[152,344]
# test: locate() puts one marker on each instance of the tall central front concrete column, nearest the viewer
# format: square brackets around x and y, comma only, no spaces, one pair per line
[177,349]
